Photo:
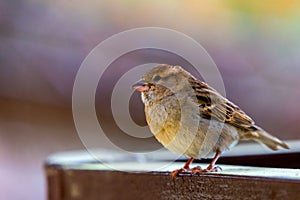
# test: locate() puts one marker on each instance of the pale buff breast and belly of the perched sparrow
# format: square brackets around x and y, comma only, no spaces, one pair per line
[180,129]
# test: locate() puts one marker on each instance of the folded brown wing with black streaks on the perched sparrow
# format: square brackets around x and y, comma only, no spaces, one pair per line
[213,105]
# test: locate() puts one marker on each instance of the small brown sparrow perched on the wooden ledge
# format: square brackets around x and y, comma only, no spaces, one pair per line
[189,117]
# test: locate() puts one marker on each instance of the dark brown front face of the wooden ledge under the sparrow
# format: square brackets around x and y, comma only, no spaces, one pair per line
[90,184]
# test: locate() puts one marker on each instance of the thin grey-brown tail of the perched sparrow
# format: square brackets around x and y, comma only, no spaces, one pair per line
[269,140]
